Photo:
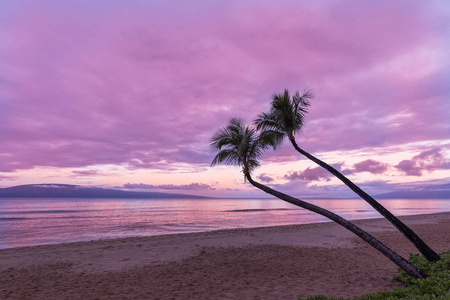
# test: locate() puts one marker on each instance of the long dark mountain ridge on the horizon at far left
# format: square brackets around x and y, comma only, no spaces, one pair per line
[77,191]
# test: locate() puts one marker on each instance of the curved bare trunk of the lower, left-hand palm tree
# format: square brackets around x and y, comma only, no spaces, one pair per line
[390,254]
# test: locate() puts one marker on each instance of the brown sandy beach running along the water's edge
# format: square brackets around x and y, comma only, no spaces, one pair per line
[281,262]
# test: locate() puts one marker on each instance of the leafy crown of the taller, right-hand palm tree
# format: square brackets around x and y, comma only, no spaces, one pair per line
[286,114]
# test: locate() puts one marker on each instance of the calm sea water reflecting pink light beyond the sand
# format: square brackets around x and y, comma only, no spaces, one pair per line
[25,222]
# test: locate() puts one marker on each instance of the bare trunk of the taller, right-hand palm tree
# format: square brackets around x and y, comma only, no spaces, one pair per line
[426,251]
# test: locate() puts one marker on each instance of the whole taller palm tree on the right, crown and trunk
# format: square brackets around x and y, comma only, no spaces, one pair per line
[286,117]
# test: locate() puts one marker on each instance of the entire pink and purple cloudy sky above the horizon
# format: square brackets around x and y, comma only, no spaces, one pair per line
[127,94]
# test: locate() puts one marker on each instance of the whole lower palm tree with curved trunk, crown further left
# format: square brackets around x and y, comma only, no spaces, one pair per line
[239,144]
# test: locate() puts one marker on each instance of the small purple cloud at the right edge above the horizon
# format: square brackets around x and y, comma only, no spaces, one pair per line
[425,161]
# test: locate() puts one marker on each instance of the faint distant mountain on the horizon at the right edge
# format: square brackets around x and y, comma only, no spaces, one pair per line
[429,192]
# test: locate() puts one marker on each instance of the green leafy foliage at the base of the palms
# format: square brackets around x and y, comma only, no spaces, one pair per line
[436,286]
